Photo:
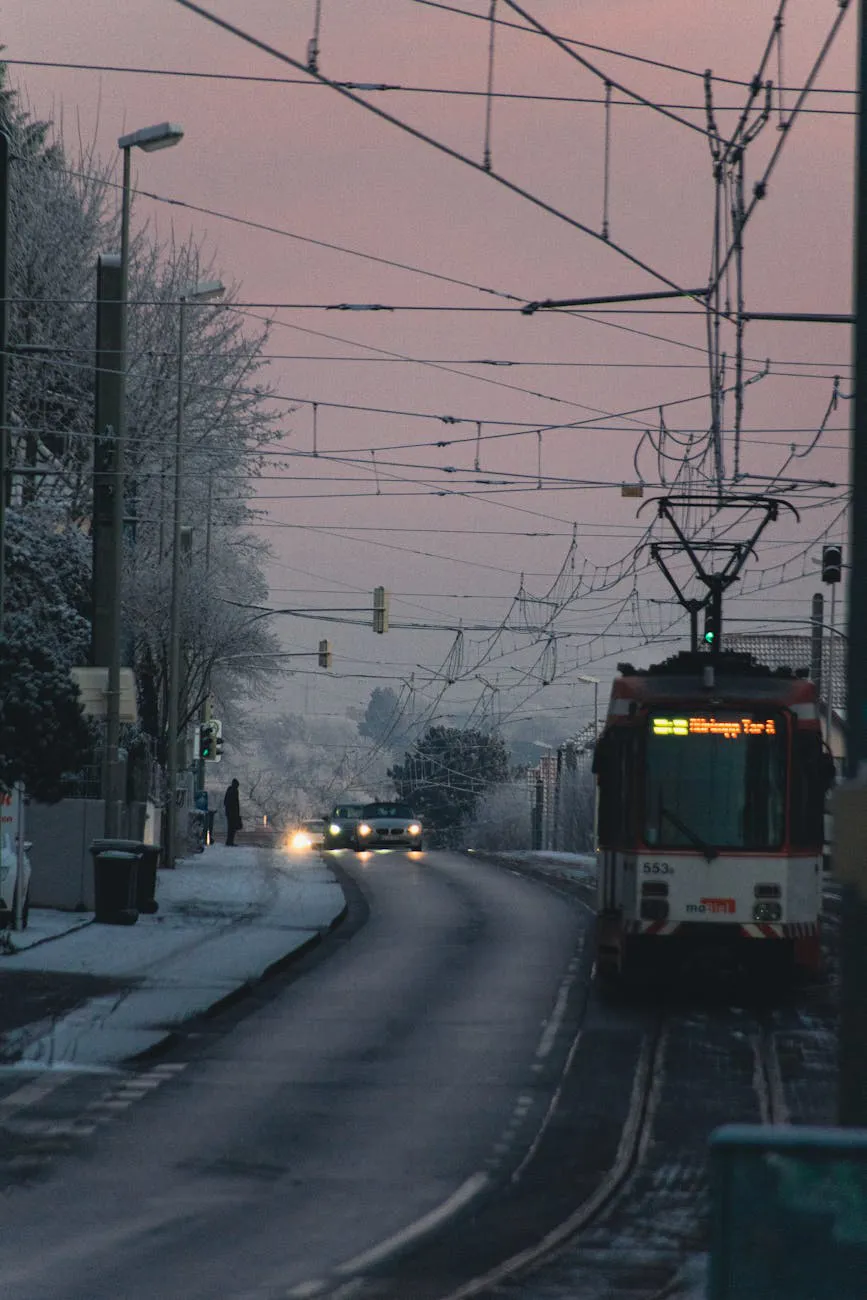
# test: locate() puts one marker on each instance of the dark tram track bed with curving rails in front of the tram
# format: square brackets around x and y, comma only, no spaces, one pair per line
[638,1229]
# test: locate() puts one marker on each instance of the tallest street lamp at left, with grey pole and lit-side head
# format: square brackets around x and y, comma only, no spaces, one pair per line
[149,138]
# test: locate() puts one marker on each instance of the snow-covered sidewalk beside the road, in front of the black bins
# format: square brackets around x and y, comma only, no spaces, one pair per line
[88,995]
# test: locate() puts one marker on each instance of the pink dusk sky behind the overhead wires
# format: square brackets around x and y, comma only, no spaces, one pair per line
[300,158]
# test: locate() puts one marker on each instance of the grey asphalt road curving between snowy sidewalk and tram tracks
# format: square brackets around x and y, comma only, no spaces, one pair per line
[389,1085]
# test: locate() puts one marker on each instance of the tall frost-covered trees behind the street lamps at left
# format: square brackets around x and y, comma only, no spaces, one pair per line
[64,215]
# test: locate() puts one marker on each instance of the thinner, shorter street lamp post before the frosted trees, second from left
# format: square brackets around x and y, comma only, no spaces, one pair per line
[201,293]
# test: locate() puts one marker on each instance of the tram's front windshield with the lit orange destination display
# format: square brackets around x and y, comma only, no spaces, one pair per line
[716,781]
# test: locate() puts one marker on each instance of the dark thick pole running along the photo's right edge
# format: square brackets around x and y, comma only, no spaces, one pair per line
[853,955]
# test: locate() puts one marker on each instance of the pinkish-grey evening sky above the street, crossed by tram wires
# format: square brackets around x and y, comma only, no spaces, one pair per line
[266,145]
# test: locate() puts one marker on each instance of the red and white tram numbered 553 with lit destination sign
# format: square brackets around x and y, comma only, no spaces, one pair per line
[712,781]
